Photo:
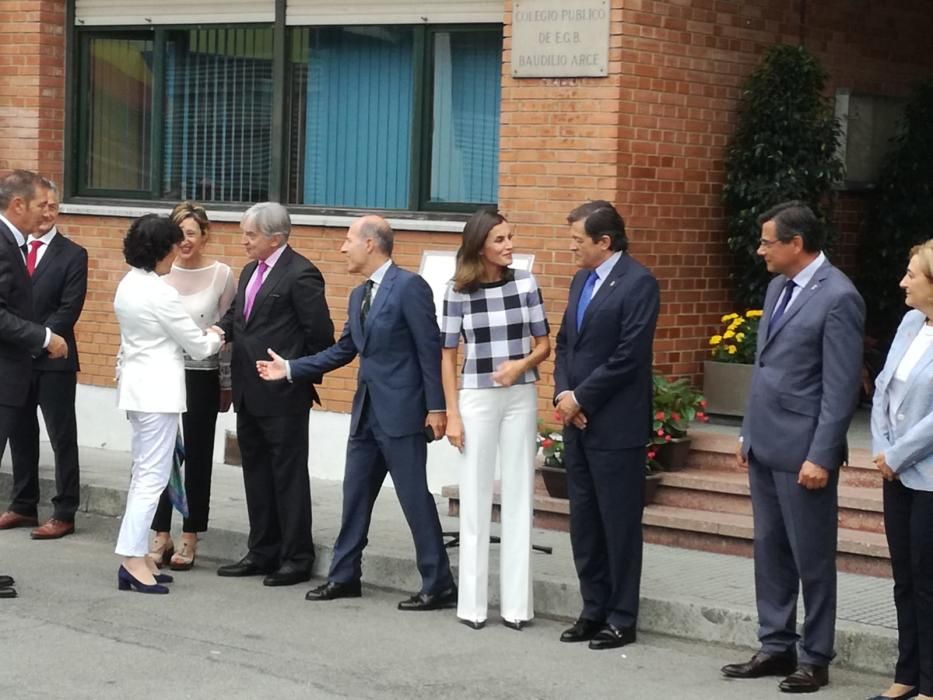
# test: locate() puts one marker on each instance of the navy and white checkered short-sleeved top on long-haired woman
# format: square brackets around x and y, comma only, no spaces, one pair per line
[497,323]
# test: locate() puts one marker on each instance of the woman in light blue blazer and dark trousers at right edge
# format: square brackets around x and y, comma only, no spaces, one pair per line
[902,441]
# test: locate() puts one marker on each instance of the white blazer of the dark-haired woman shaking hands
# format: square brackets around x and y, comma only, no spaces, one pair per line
[154,329]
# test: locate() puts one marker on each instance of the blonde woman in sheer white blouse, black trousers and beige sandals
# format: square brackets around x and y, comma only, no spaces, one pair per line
[207,289]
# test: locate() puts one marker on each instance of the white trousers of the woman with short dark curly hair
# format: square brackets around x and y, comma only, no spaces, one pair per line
[153,445]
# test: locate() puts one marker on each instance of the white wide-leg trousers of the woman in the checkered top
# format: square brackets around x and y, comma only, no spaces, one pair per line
[500,421]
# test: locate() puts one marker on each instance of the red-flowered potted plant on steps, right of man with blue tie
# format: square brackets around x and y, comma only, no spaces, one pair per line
[675,404]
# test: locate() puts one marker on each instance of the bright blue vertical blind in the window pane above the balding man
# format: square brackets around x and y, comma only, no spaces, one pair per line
[358,110]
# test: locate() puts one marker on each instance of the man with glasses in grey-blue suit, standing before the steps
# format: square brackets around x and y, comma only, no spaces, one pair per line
[804,391]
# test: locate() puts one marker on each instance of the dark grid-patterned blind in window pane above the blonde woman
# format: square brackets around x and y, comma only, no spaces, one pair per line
[218,115]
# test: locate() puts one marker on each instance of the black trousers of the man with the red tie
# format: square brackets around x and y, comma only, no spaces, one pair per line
[54,393]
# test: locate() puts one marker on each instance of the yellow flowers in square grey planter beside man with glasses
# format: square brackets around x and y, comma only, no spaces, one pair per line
[727,376]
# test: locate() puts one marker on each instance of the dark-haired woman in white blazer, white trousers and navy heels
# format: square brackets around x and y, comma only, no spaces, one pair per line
[155,329]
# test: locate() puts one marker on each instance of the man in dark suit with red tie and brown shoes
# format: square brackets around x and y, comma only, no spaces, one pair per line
[58,271]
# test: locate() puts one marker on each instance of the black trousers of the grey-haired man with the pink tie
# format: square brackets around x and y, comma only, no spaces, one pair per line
[278,488]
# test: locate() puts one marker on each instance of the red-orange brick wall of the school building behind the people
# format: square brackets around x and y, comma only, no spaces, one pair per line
[650,137]
